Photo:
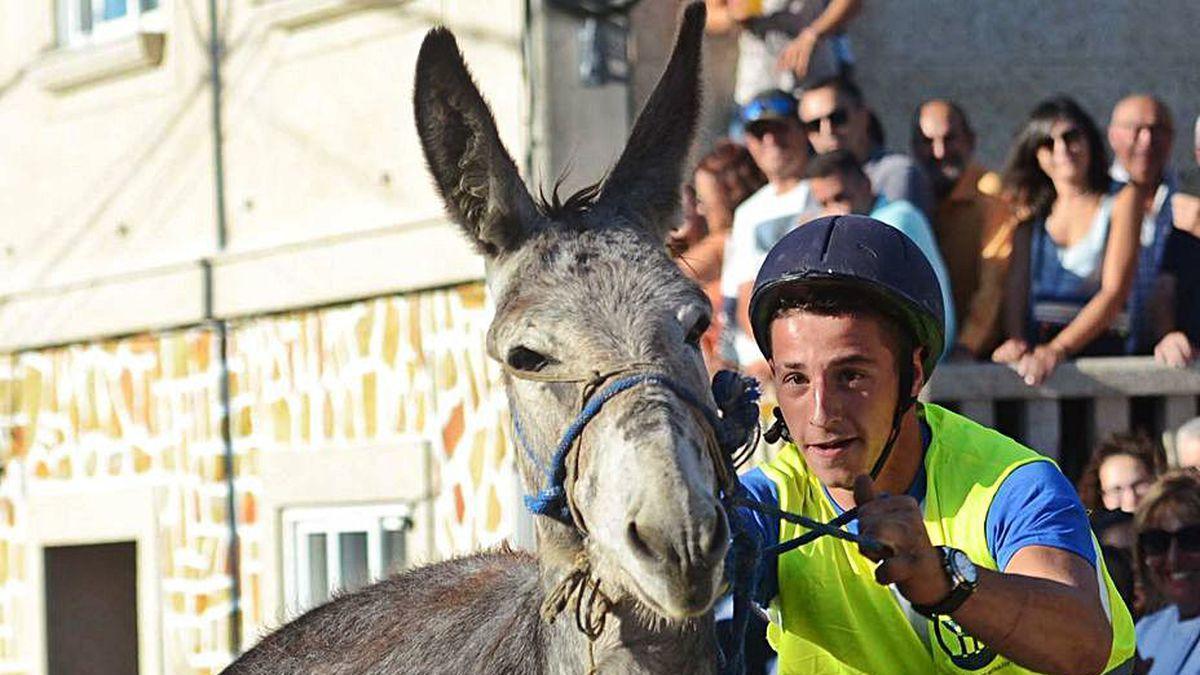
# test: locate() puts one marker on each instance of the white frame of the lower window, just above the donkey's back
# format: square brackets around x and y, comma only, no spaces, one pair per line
[333,521]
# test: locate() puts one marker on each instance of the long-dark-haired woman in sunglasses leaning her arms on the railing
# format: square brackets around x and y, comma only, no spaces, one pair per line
[1073,264]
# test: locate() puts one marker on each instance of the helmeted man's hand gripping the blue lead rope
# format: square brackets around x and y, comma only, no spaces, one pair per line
[913,564]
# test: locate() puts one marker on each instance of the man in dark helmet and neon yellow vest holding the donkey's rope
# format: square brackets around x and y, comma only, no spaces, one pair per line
[985,559]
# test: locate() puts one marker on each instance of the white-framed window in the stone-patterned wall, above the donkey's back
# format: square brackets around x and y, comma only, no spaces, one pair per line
[341,549]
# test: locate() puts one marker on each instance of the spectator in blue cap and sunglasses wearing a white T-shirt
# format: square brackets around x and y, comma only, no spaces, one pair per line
[777,144]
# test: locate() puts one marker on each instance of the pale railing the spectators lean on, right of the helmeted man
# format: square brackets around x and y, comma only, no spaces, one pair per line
[1084,402]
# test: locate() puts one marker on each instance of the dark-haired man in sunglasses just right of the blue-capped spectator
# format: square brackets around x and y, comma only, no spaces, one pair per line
[836,117]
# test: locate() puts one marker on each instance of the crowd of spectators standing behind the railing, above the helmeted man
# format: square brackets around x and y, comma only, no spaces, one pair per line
[1087,243]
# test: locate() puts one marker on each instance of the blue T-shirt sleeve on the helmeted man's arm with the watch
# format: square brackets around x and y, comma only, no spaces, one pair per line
[1036,506]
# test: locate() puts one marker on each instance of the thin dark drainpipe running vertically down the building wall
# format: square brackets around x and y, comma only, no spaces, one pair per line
[223,331]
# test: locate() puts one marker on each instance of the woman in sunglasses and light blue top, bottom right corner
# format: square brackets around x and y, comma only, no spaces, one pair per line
[1168,555]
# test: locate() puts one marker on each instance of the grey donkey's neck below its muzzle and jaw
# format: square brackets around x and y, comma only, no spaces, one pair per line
[628,644]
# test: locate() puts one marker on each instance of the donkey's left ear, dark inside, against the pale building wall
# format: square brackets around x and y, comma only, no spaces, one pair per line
[475,174]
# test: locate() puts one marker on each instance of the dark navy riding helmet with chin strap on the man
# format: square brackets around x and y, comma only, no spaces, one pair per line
[873,258]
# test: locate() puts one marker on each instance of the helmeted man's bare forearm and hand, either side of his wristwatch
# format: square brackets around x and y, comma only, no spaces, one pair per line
[1042,613]
